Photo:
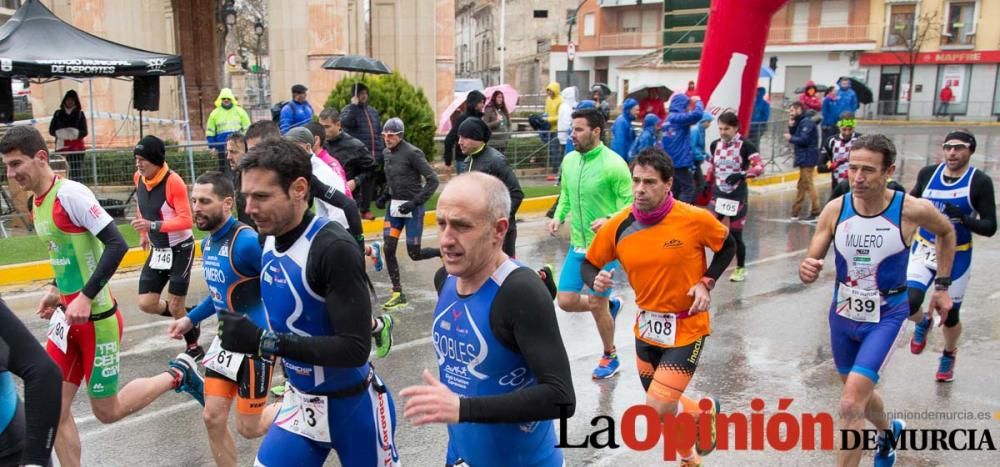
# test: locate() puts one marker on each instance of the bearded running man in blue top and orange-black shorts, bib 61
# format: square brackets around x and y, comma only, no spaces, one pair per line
[231,261]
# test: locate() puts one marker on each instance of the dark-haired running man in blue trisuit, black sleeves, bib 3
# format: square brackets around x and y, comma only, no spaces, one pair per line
[316,295]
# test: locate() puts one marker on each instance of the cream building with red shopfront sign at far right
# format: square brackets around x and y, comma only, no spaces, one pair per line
[946,43]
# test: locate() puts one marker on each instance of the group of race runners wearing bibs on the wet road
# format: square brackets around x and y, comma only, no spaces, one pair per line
[292,289]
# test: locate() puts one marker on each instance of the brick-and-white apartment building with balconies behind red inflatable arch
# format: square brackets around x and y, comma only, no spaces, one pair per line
[819,40]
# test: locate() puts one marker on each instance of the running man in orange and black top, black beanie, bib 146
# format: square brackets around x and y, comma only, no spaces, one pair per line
[164,222]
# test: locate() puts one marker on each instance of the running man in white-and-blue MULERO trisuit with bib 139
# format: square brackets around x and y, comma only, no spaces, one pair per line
[870,228]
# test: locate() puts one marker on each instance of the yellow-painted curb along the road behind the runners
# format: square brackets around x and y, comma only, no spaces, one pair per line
[14,274]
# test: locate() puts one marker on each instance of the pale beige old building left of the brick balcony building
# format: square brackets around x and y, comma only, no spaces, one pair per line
[531,29]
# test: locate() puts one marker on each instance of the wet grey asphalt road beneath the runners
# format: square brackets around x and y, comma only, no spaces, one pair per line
[770,340]
